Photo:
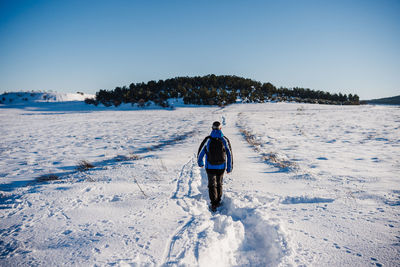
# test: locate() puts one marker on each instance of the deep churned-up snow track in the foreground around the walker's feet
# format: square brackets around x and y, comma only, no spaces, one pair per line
[238,234]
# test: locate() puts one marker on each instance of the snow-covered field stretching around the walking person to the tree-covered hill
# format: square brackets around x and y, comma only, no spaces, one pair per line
[315,185]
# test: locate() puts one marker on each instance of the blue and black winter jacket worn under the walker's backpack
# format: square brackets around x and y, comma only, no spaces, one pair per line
[228,165]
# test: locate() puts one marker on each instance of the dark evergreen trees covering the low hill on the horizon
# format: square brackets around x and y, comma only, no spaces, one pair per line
[214,90]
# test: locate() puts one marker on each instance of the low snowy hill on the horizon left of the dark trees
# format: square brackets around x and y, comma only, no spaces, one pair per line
[28,98]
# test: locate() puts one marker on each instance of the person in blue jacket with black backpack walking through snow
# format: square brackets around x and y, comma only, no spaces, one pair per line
[217,149]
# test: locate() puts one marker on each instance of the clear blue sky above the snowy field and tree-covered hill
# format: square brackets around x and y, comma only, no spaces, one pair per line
[69,46]
